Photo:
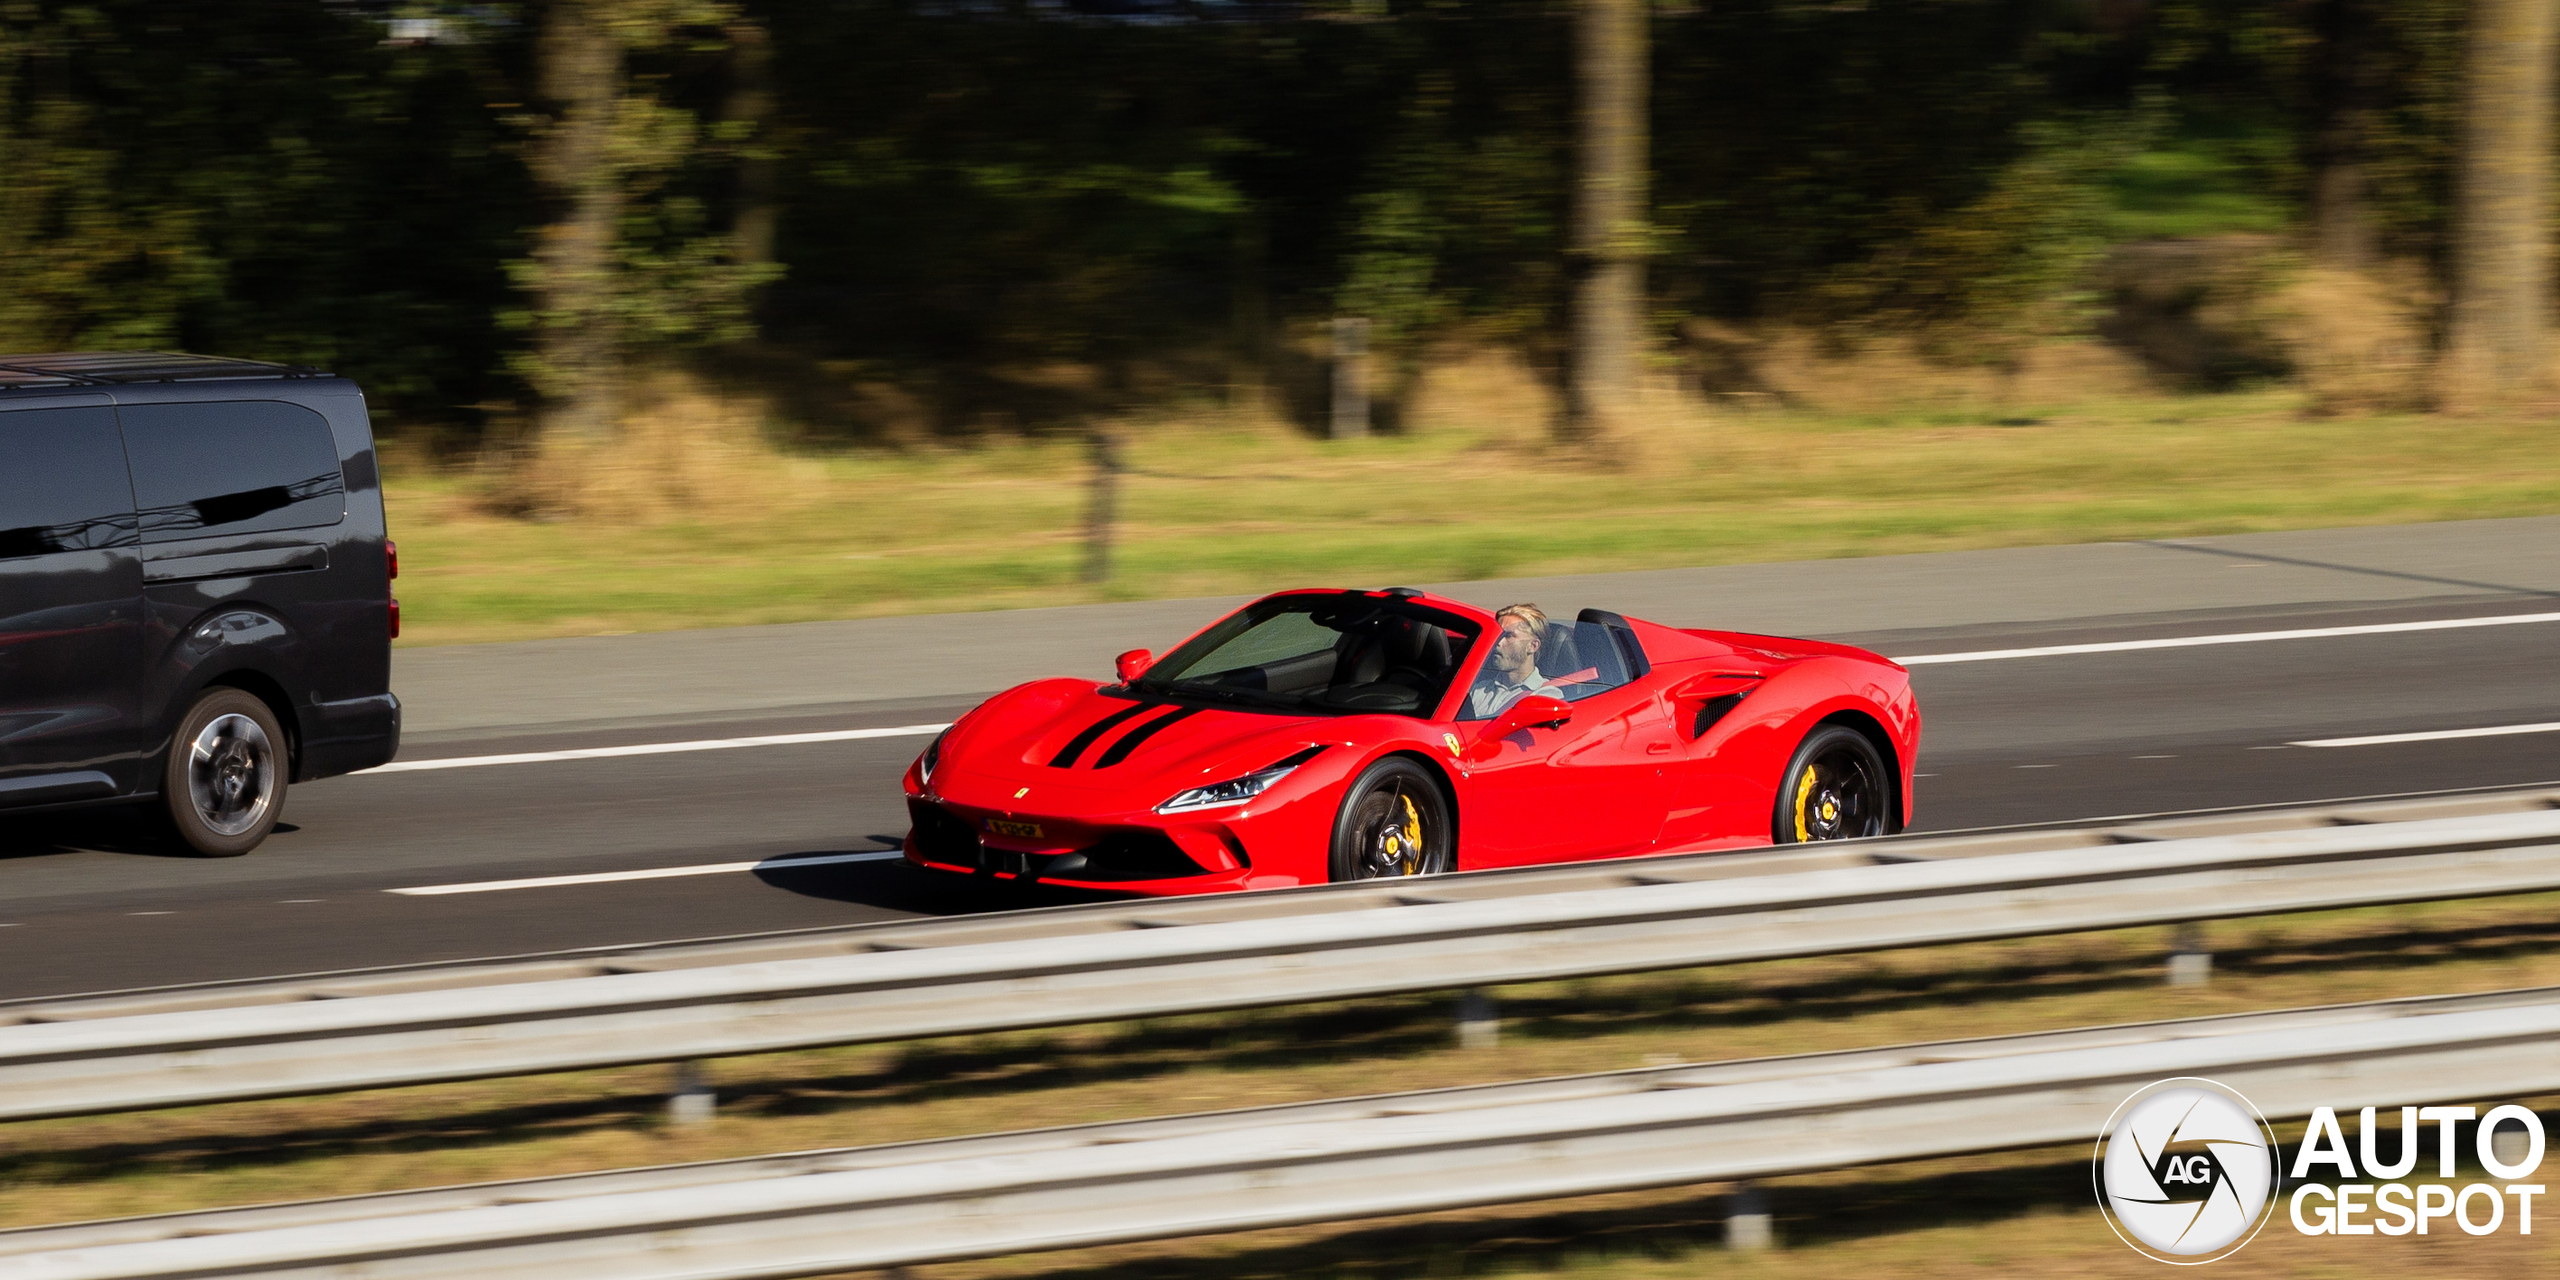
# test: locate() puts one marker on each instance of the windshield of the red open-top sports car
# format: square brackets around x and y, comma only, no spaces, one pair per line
[1343,654]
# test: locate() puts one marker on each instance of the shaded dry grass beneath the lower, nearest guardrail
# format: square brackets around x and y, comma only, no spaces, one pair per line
[2016,1215]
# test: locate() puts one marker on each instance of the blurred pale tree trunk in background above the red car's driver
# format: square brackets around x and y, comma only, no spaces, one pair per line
[1609,234]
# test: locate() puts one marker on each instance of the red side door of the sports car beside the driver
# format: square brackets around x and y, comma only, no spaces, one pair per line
[1594,787]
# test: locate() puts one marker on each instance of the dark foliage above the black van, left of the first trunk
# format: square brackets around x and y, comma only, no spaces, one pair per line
[257,178]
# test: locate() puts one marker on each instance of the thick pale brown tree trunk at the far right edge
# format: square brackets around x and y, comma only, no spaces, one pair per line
[2502,216]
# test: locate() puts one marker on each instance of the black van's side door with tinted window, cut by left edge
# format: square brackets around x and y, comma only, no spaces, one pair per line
[70,608]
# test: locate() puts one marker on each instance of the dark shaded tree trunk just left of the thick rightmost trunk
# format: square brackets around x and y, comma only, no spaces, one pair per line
[2346,91]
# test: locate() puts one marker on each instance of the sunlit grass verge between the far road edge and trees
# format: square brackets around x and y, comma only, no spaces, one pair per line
[744,536]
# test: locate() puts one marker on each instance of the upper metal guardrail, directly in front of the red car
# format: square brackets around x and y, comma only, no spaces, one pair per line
[111,1064]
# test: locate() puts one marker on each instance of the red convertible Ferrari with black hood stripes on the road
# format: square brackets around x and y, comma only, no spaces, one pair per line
[1343,736]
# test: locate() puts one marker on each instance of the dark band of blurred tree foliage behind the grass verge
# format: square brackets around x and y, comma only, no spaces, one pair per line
[1033,209]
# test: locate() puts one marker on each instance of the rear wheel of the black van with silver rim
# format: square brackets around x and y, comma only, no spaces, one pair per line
[224,785]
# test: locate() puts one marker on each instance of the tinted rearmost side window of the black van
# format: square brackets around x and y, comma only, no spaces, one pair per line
[232,467]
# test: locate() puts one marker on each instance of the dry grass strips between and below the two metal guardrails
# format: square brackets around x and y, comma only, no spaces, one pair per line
[2001,1215]
